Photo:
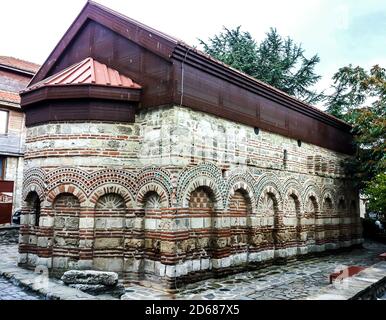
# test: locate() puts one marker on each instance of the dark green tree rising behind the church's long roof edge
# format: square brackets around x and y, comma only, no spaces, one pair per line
[276,61]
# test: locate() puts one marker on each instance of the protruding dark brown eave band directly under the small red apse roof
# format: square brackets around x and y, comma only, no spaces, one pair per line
[79,91]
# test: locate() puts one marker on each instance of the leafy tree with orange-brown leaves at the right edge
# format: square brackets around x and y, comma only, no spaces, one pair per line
[359,98]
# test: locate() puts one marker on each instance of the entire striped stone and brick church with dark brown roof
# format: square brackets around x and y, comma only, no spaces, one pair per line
[147,157]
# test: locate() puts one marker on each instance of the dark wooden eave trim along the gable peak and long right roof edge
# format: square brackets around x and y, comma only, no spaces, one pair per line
[172,48]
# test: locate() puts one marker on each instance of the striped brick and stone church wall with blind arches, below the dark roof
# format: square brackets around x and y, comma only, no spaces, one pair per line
[178,194]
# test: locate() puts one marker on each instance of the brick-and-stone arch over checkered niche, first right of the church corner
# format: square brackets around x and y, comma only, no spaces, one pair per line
[203,182]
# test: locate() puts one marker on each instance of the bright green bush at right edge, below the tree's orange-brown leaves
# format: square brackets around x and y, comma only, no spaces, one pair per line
[376,193]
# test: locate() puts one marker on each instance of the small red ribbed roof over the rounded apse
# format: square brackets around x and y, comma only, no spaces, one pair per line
[88,71]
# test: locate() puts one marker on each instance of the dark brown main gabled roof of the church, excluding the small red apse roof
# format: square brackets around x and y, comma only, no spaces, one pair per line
[173,73]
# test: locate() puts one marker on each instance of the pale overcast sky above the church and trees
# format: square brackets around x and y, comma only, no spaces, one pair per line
[340,31]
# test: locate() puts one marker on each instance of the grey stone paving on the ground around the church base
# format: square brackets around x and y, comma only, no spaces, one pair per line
[297,280]
